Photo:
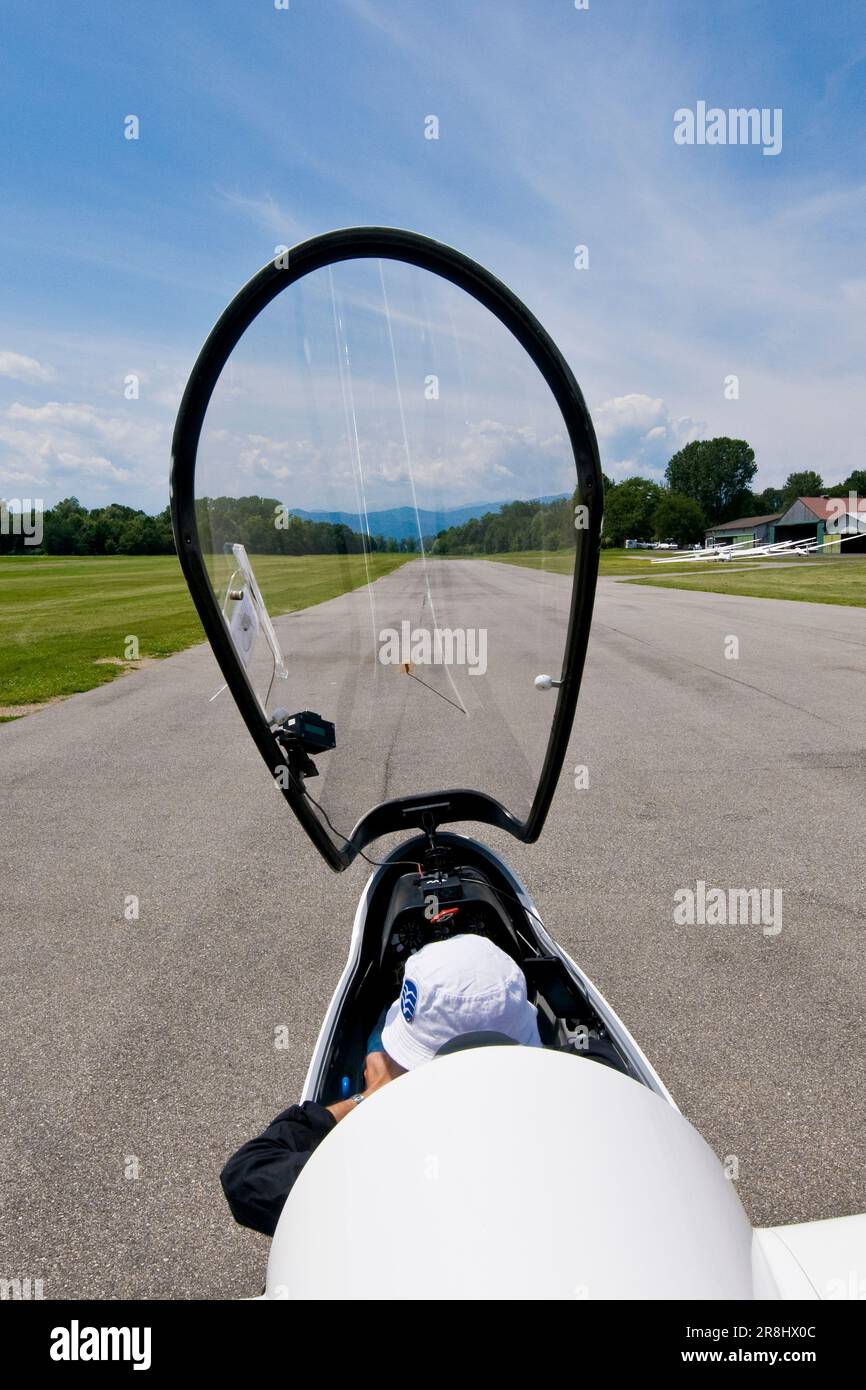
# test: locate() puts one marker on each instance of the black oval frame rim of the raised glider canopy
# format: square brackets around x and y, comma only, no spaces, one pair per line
[277,276]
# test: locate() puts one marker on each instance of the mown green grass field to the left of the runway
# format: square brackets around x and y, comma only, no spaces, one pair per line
[63,615]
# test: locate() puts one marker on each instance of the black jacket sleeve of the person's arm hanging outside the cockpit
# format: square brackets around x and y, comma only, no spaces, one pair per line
[258,1179]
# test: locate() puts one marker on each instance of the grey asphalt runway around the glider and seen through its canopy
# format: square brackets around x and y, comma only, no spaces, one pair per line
[138,1054]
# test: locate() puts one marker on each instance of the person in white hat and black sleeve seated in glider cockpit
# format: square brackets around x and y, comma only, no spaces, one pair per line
[451,989]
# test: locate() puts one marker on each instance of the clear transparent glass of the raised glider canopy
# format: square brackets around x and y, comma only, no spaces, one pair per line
[386,497]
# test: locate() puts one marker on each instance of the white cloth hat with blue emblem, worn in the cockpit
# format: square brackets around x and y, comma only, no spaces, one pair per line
[465,985]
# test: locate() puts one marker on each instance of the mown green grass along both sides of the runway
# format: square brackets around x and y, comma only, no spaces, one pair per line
[65,622]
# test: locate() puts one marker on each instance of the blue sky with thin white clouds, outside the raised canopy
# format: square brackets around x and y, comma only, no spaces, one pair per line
[262,127]
